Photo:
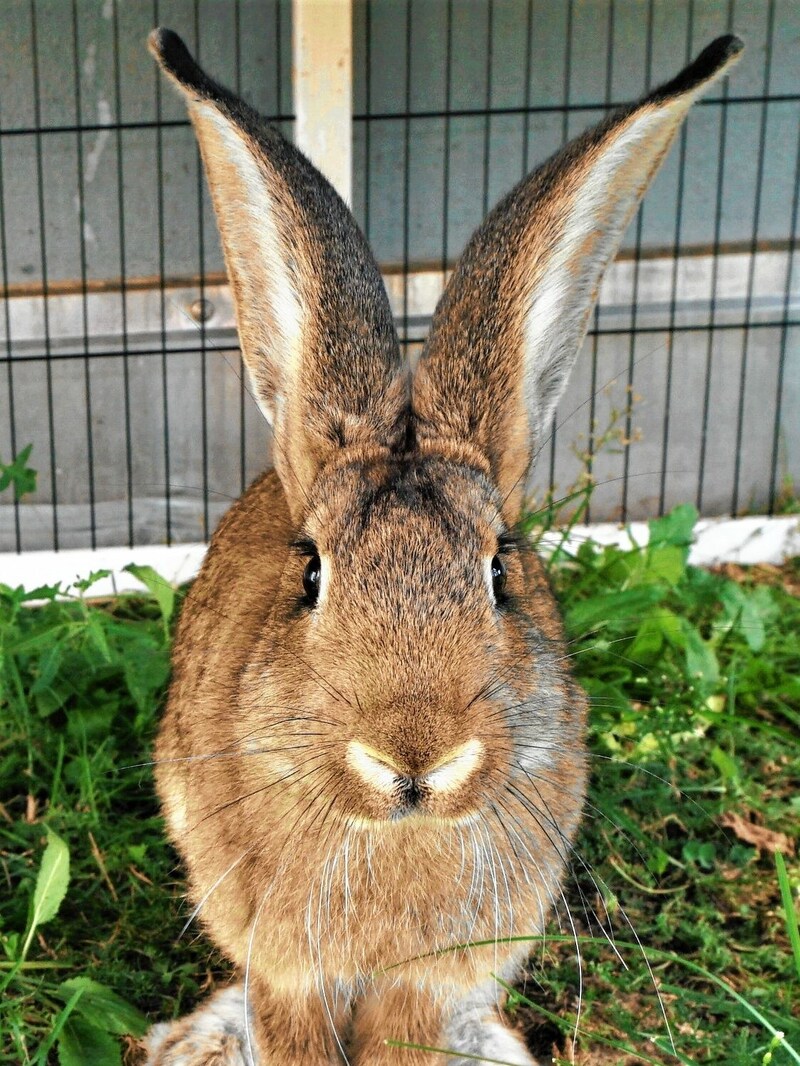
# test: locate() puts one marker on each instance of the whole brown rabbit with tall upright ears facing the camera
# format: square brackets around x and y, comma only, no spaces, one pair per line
[374,749]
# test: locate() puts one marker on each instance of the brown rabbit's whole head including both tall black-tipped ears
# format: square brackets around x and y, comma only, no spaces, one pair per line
[410,622]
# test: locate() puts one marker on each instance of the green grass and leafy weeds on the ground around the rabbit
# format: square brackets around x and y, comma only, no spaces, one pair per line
[680,906]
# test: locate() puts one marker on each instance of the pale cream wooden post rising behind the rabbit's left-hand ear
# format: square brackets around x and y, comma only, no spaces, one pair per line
[323,69]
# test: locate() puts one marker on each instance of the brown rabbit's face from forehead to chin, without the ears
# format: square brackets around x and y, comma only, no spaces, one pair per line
[426,654]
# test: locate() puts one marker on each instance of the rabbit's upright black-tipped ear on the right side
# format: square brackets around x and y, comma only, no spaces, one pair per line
[509,326]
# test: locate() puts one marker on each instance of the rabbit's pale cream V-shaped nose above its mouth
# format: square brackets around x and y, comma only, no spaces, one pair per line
[383,773]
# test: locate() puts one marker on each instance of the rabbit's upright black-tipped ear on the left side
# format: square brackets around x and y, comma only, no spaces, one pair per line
[314,318]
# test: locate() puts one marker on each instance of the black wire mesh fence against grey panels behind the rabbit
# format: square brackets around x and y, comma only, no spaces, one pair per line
[120,359]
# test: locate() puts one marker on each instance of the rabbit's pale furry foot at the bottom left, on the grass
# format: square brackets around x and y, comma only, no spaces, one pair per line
[214,1036]
